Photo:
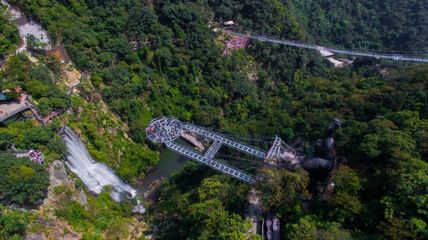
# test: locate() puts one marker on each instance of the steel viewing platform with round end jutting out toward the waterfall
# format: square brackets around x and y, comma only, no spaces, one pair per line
[166,130]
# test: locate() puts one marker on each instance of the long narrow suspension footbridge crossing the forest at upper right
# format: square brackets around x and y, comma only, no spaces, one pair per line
[394,57]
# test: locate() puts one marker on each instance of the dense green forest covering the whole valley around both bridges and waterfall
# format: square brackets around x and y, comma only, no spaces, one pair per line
[152,58]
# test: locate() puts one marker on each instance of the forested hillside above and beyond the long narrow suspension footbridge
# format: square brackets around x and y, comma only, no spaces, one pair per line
[398,26]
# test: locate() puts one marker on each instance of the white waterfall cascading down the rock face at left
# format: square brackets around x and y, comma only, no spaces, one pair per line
[94,175]
